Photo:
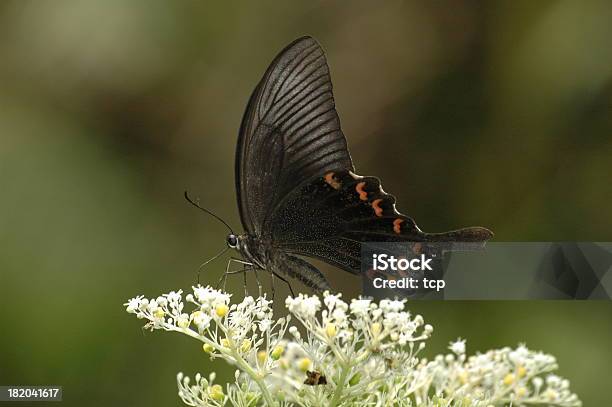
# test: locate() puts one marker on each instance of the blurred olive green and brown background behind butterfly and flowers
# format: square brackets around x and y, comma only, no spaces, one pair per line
[472,113]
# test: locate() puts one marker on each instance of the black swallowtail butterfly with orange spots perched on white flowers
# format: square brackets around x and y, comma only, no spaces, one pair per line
[297,192]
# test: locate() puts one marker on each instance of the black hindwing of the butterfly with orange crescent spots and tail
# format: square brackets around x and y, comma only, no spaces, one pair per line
[333,215]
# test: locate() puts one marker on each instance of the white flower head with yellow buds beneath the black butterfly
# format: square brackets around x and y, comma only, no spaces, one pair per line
[341,354]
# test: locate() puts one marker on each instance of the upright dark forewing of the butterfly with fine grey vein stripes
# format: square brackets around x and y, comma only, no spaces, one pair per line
[289,134]
